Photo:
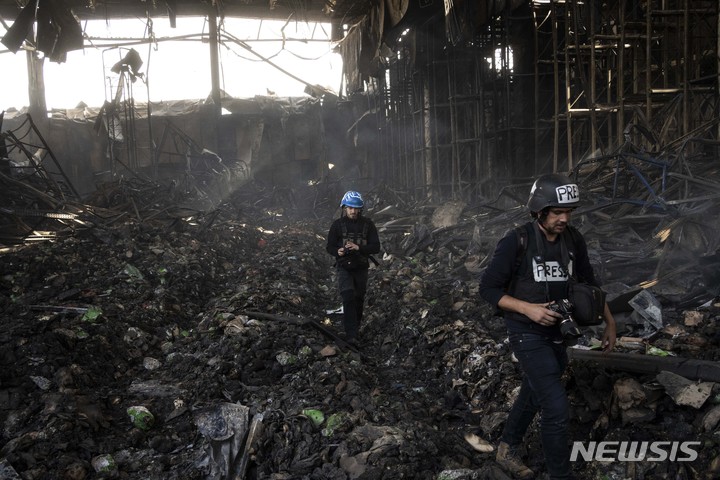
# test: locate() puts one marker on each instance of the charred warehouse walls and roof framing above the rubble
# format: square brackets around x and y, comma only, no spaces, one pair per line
[441,100]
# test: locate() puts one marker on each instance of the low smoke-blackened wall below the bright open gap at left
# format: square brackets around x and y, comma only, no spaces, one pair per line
[277,140]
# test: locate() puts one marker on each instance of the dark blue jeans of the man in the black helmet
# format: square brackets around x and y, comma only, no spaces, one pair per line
[543,362]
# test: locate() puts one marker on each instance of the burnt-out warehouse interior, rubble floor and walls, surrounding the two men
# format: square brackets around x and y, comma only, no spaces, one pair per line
[168,307]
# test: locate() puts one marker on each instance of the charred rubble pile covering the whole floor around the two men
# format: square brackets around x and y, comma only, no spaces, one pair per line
[165,343]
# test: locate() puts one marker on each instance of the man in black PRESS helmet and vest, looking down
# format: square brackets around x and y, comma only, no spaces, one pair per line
[524,288]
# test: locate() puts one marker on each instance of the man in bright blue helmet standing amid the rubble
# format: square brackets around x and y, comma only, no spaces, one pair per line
[352,240]
